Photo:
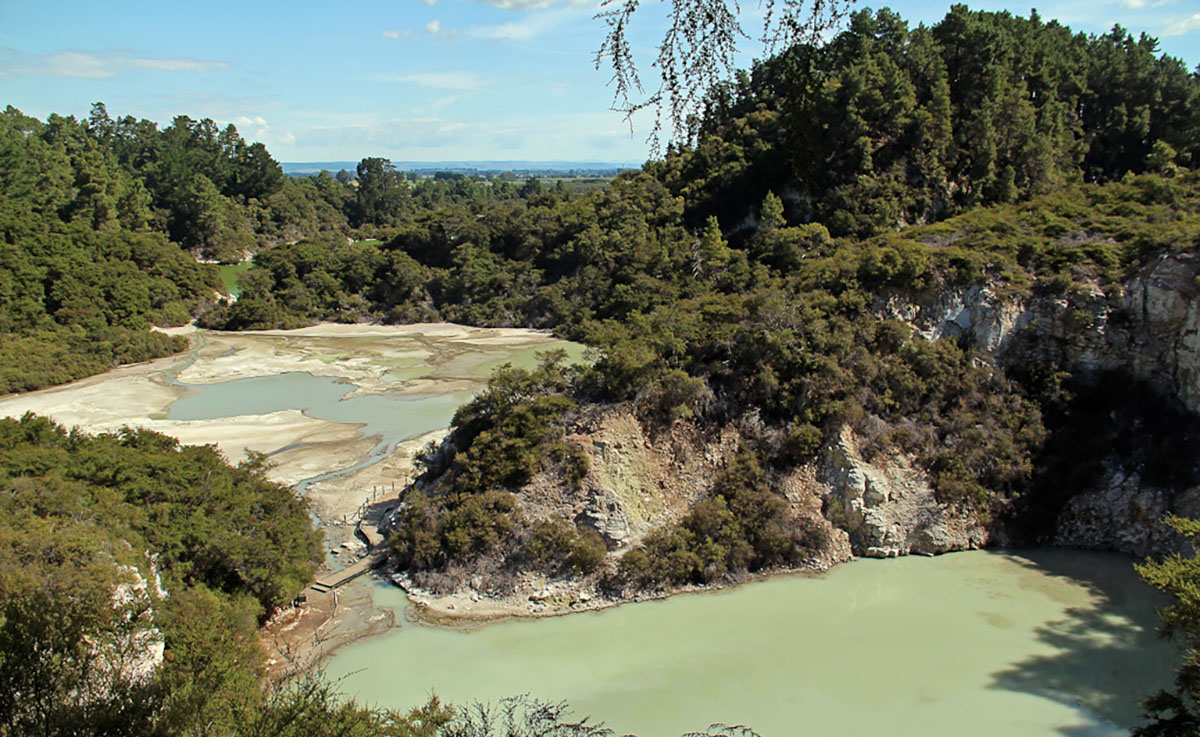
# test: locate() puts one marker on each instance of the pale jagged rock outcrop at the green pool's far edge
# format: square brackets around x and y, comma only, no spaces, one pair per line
[890,508]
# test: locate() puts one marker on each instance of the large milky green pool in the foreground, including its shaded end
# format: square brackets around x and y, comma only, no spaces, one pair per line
[977,644]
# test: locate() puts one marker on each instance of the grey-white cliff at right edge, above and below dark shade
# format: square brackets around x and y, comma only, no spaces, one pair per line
[1149,327]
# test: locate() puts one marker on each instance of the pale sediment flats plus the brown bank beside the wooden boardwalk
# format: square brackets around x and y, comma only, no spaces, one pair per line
[419,361]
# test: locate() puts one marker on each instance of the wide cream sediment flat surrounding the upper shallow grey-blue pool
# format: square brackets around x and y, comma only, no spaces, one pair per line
[140,396]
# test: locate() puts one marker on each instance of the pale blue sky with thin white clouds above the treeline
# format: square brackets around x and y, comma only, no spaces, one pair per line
[407,80]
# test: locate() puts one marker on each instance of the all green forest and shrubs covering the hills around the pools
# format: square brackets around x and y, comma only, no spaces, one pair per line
[739,275]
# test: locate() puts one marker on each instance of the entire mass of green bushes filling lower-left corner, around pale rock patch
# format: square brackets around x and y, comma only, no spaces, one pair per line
[82,518]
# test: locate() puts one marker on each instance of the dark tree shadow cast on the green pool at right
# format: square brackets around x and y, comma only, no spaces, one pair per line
[1106,656]
